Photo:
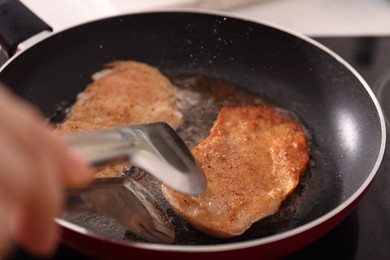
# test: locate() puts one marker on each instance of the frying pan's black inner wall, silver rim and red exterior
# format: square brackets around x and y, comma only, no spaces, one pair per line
[294,71]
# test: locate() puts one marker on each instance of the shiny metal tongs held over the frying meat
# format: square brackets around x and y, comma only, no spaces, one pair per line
[155,148]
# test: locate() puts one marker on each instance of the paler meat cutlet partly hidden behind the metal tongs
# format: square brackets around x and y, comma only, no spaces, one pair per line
[124,93]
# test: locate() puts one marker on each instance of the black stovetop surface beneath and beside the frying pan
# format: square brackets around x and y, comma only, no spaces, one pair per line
[365,233]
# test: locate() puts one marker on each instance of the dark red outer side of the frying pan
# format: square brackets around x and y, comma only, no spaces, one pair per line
[98,247]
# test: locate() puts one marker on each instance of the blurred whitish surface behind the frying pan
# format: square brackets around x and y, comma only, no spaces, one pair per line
[311,17]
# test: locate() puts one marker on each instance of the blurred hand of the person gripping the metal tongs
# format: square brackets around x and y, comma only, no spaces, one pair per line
[35,168]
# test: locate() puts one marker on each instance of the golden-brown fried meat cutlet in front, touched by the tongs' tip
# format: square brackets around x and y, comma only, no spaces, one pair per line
[253,158]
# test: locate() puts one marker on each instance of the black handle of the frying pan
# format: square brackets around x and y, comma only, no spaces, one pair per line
[17,24]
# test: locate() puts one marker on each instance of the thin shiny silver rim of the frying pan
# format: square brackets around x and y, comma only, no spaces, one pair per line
[268,239]
